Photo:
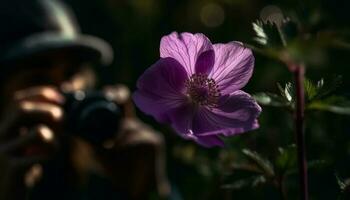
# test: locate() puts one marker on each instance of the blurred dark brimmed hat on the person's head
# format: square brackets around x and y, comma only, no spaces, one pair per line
[32,27]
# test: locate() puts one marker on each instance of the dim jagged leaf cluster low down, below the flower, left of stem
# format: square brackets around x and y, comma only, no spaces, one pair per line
[258,170]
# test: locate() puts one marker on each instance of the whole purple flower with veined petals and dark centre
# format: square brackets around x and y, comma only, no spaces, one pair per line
[195,86]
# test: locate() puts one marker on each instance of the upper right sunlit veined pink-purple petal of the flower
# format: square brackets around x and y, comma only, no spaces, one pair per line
[233,66]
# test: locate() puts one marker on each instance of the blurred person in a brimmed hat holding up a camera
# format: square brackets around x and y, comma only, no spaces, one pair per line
[43,59]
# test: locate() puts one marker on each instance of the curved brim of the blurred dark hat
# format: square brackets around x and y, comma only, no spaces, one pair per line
[88,48]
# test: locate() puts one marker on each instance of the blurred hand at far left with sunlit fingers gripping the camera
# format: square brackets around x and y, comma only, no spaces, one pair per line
[27,134]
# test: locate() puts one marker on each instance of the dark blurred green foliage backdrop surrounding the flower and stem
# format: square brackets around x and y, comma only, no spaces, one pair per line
[315,32]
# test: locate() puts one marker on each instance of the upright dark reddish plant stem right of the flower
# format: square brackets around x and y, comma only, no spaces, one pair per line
[298,71]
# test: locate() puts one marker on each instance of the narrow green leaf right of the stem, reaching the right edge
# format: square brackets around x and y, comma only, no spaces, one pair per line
[334,104]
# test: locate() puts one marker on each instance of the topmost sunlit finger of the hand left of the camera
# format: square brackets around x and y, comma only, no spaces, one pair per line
[41,93]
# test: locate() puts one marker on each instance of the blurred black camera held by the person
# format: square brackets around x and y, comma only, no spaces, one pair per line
[91,115]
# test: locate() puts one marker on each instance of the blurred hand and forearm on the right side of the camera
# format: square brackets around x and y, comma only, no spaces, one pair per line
[135,159]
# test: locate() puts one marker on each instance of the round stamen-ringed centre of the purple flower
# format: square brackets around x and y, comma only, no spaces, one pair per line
[202,90]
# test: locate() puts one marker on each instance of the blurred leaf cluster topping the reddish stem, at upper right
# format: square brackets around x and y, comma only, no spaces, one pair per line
[288,42]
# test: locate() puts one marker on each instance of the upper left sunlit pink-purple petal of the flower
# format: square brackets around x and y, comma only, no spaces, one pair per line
[186,48]
